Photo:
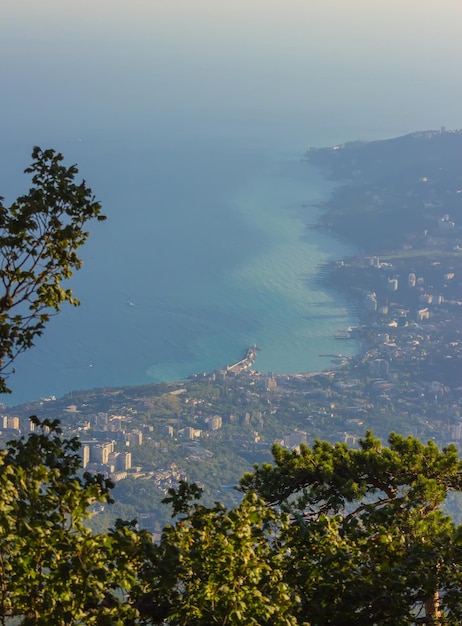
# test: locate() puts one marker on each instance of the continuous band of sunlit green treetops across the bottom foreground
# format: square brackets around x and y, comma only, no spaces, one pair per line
[325,535]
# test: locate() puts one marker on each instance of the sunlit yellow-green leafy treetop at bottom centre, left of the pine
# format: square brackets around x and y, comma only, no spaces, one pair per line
[218,566]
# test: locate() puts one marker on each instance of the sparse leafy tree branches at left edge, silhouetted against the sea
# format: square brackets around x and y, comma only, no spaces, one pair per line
[39,237]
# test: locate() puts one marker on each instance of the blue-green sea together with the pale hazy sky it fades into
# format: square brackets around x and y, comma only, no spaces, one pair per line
[188,120]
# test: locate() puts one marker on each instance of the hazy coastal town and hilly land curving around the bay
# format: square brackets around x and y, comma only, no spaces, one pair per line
[406,286]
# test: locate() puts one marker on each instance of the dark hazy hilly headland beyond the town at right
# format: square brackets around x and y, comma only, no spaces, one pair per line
[390,192]
